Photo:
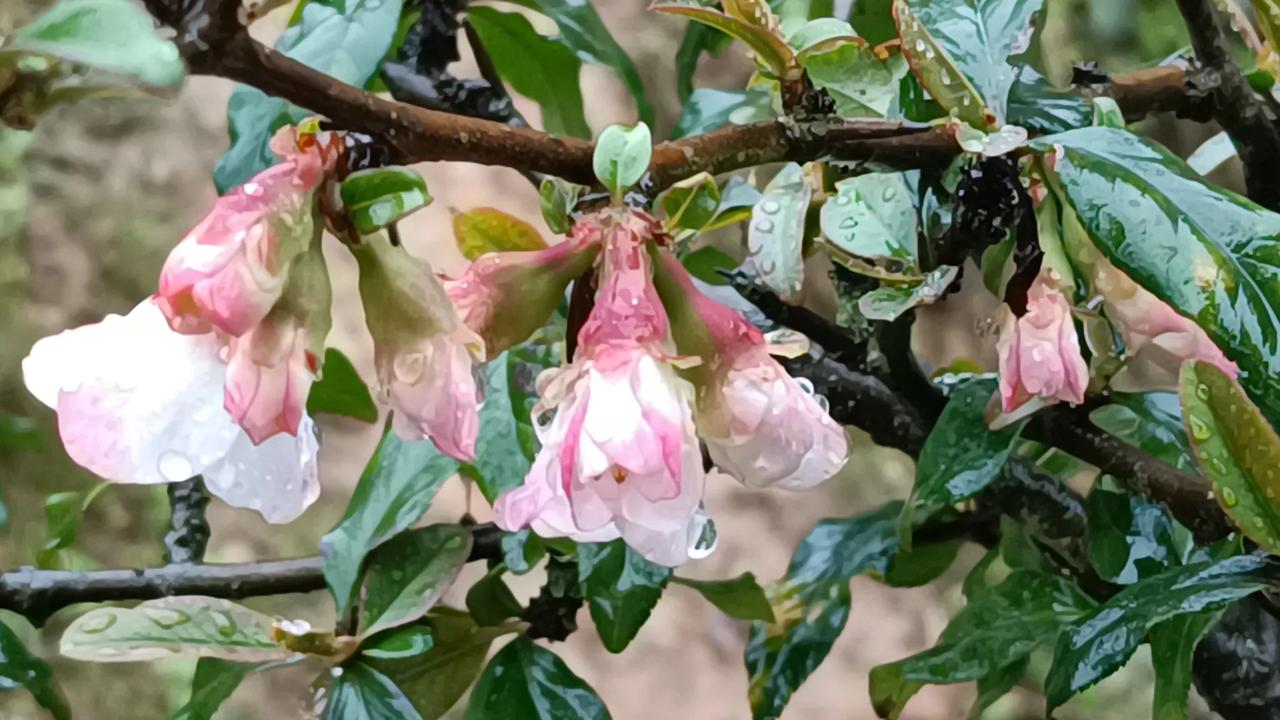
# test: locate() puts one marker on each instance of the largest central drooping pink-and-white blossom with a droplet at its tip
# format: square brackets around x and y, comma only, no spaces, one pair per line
[620,457]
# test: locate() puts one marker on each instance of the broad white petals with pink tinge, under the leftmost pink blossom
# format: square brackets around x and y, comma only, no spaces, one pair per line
[139,403]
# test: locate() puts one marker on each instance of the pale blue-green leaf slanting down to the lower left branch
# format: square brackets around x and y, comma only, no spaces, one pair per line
[394,493]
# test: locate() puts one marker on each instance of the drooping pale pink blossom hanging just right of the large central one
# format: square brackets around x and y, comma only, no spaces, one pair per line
[761,425]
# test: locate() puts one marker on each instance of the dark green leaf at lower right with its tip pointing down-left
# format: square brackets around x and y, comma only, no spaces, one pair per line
[991,635]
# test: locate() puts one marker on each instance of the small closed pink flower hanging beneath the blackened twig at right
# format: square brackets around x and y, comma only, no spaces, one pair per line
[1040,353]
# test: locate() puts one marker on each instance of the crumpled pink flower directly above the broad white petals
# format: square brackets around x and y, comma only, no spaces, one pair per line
[231,268]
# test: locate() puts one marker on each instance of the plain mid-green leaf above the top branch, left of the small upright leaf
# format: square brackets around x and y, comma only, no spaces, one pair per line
[537,67]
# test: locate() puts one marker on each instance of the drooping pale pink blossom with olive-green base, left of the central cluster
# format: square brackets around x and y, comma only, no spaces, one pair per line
[423,354]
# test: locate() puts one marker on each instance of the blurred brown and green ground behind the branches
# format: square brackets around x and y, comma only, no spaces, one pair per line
[94,199]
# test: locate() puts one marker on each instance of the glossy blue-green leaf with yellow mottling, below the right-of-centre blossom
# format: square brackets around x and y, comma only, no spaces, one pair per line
[812,604]
